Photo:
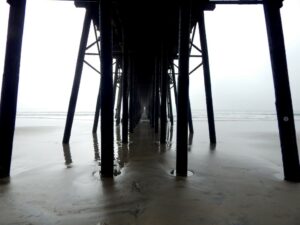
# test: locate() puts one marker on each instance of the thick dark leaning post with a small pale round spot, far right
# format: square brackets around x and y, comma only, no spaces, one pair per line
[284,105]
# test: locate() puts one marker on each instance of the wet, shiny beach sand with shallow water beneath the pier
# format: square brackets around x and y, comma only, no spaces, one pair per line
[239,182]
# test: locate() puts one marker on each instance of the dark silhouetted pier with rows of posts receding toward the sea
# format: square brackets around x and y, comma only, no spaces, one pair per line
[145,73]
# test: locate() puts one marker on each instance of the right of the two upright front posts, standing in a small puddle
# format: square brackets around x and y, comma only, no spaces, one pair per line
[183,89]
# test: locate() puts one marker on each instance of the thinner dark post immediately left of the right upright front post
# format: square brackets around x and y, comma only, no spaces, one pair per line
[163,107]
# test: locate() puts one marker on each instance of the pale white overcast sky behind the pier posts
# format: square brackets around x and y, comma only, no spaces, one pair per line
[238,49]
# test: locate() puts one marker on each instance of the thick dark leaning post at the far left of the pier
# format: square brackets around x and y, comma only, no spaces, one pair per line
[10,83]
